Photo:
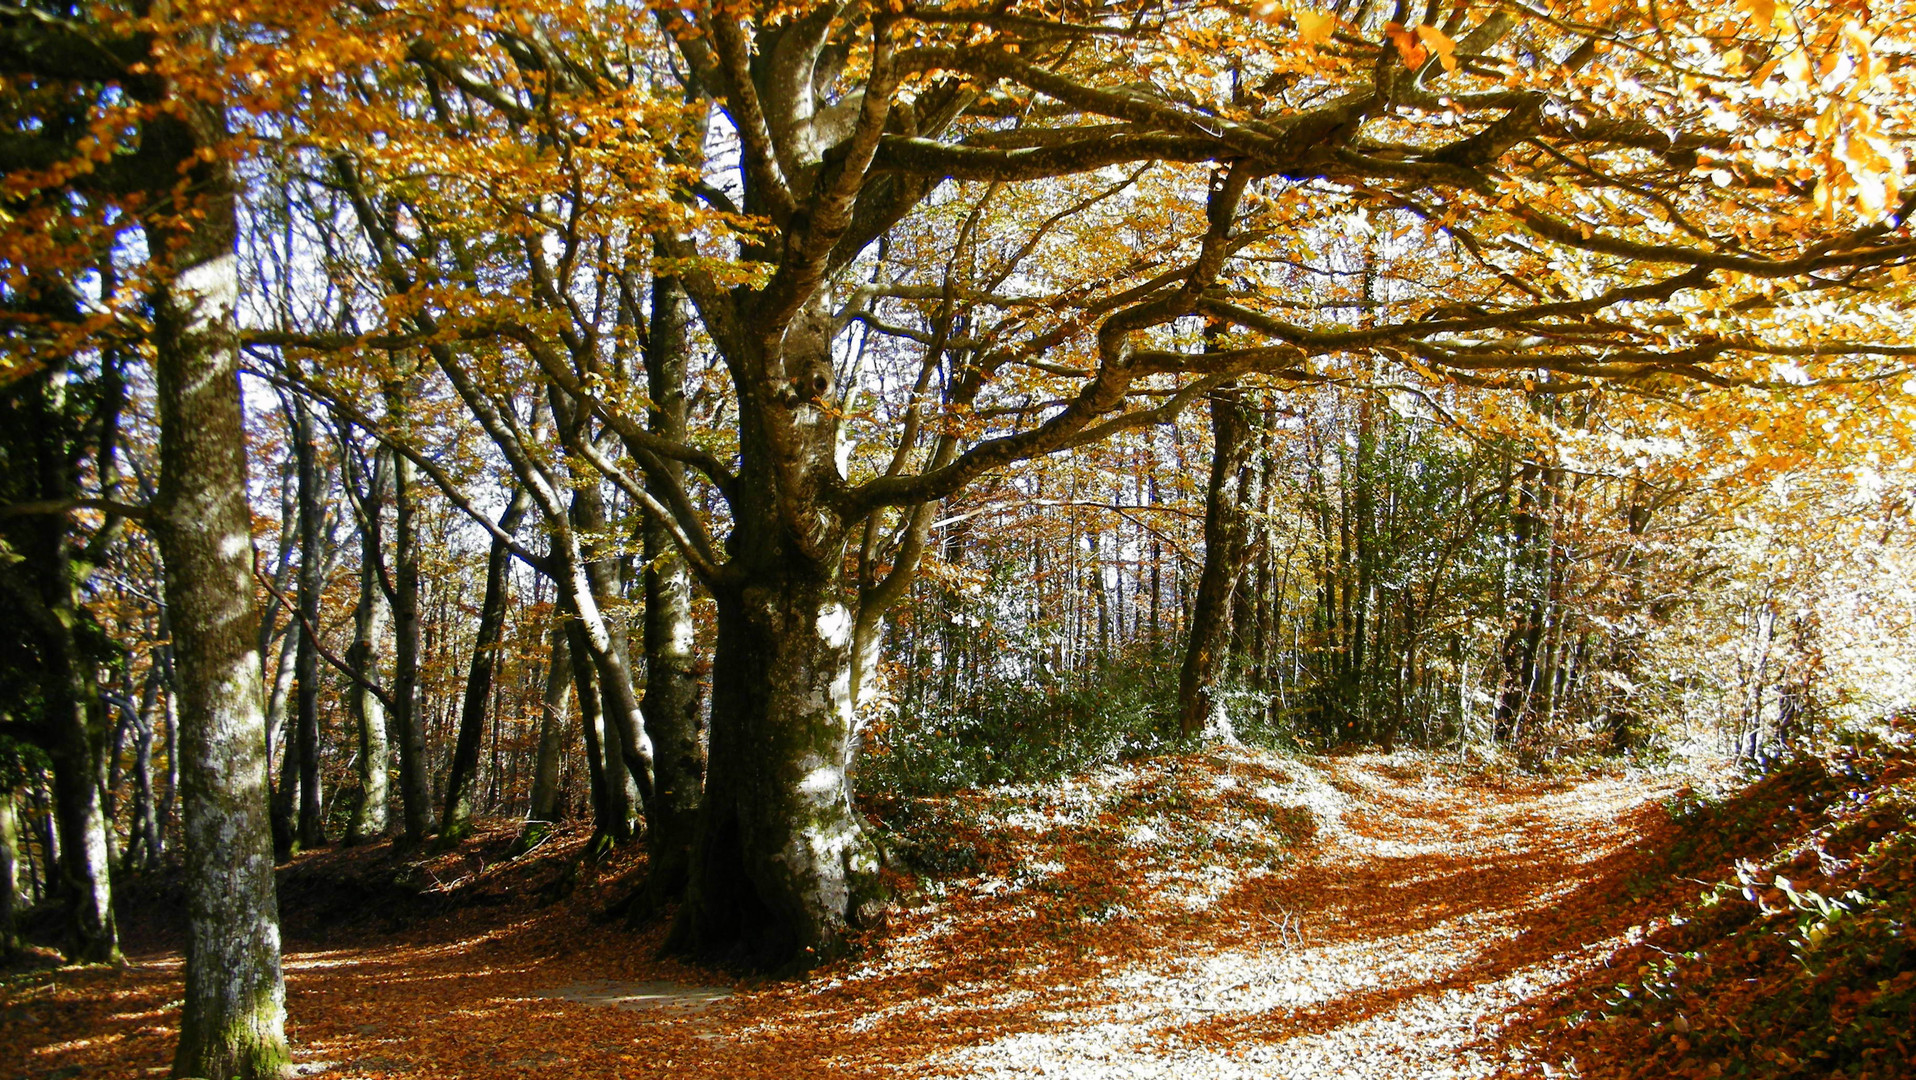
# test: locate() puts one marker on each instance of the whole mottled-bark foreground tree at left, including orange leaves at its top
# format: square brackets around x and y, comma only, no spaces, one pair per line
[179,177]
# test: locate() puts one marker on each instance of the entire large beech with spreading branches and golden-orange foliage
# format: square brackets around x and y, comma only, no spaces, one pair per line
[924,242]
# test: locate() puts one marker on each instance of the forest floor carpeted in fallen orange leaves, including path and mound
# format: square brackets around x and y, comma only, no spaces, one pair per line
[1206,916]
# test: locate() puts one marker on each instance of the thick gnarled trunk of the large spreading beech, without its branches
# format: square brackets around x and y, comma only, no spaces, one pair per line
[783,872]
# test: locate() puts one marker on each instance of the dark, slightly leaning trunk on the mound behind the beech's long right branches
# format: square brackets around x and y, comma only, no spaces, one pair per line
[1225,531]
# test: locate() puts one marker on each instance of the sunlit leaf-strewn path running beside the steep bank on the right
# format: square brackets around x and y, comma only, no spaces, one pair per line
[1423,916]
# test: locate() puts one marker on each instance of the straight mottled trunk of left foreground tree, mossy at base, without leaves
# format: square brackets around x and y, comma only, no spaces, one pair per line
[235,1018]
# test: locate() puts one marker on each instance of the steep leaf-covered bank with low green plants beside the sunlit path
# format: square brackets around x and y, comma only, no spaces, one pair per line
[1798,955]
